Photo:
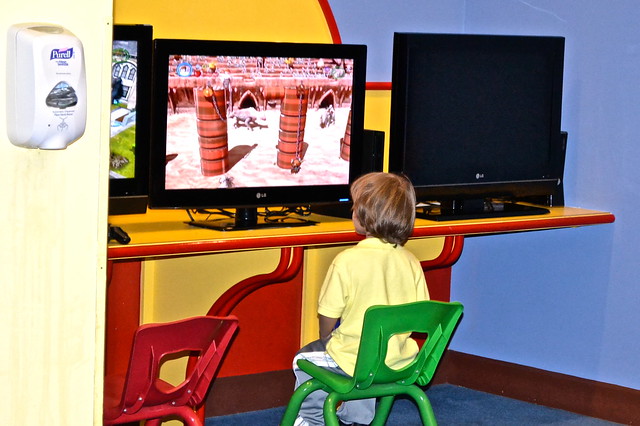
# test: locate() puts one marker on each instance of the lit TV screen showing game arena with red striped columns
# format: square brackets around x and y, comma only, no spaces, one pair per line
[248,121]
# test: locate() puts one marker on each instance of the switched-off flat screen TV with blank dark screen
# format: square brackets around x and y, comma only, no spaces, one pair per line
[475,122]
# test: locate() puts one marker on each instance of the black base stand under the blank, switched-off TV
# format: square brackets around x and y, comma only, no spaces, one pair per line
[477,209]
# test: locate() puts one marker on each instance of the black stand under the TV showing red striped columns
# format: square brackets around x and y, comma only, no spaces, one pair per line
[248,218]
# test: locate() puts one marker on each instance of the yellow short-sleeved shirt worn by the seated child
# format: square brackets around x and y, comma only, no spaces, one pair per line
[371,273]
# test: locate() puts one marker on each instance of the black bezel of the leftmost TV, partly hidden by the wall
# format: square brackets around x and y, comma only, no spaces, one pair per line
[130,195]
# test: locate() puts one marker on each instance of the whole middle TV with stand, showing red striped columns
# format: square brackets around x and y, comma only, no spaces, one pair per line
[243,125]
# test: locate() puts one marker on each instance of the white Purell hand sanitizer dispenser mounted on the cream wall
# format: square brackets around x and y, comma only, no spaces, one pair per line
[46,86]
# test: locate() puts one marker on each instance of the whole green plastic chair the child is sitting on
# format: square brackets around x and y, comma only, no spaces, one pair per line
[372,377]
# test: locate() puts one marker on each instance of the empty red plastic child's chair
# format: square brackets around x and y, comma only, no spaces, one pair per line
[142,395]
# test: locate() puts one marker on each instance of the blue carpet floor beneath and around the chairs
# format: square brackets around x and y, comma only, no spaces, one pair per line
[453,405]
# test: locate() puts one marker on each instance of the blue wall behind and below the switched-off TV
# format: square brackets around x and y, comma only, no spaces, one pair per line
[562,300]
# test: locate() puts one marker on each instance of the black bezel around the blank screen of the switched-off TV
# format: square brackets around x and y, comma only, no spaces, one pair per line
[538,188]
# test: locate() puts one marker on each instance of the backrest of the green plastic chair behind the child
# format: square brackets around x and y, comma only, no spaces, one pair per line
[437,319]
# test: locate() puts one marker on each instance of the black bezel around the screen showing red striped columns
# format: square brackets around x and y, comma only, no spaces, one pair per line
[162,198]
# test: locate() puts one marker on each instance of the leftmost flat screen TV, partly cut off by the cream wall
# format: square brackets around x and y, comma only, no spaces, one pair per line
[130,118]
